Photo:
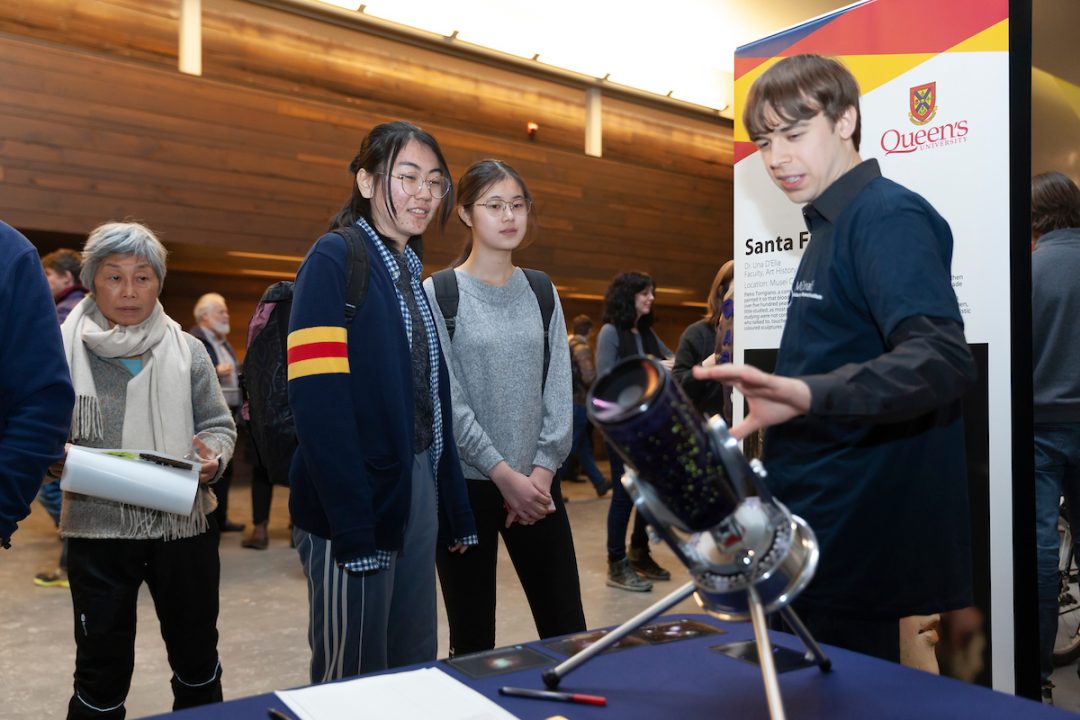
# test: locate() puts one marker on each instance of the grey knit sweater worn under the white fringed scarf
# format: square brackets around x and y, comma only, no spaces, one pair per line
[85,517]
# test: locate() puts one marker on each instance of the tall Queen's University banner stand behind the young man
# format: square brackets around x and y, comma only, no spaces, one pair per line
[939,115]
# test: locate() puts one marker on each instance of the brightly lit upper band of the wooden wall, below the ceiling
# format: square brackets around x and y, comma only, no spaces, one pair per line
[254,46]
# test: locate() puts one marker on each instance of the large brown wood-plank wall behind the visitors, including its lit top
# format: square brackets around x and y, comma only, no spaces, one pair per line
[98,125]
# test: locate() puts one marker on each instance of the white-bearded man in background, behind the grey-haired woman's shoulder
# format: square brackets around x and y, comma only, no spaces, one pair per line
[212,329]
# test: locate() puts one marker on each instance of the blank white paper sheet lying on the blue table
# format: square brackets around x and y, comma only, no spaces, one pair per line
[413,696]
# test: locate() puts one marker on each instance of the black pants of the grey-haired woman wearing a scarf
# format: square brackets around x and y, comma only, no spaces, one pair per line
[106,576]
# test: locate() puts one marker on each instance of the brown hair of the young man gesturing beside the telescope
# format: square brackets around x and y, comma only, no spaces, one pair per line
[798,89]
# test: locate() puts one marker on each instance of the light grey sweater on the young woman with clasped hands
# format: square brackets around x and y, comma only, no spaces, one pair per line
[496,364]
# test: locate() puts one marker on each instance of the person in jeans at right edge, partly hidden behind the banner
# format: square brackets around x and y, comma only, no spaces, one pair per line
[1056,345]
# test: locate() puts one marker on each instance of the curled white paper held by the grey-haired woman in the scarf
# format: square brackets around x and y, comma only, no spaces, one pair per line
[124,477]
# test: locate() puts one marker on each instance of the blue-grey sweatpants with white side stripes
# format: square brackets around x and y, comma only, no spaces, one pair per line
[363,623]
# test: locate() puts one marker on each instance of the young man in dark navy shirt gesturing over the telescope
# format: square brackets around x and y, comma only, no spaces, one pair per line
[866,438]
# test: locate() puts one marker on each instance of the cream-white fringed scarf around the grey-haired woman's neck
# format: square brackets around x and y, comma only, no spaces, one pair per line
[158,415]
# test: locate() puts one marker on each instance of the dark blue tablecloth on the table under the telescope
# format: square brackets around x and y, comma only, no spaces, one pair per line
[688,681]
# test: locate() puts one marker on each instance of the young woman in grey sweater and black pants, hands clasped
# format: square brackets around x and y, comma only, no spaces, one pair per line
[510,376]
